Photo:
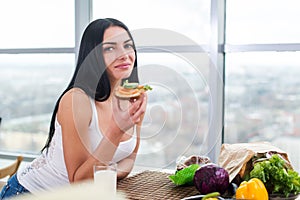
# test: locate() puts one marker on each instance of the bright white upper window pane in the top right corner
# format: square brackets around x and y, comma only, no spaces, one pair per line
[268,21]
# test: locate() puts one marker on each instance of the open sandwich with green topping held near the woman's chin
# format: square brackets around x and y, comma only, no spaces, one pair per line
[131,90]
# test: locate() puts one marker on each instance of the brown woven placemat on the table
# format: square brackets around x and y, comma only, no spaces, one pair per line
[153,185]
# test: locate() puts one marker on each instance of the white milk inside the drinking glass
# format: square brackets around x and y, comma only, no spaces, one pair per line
[106,180]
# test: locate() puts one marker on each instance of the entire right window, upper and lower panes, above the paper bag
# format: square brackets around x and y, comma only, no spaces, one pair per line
[262,66]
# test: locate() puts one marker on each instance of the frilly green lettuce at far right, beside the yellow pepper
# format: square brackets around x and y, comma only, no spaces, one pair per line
[277,178]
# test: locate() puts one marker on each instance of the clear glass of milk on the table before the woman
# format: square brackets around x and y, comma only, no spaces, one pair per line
[105,176]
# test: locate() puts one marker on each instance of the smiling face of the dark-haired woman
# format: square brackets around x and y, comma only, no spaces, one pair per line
[118,53]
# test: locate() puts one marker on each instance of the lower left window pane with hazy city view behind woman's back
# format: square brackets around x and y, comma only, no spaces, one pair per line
[28,94]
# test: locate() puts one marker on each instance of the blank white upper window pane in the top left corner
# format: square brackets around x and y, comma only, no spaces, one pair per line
[36,24]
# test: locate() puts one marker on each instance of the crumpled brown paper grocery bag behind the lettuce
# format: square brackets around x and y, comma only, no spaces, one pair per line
[236,158]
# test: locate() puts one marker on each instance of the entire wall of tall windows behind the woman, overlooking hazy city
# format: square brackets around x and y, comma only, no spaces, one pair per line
[174,43]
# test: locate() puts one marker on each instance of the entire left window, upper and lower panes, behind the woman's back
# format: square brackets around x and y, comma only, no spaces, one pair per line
[36,61]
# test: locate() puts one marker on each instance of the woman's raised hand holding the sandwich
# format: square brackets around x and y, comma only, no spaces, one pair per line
[126,116]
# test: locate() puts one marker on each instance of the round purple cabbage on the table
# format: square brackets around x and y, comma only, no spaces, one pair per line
[211,178]
